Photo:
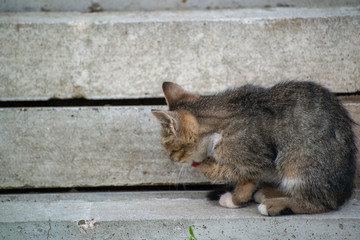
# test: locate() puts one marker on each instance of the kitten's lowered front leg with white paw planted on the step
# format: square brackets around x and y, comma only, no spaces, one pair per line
[240,196]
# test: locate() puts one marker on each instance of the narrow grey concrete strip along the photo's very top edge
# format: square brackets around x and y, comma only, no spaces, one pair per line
[146,5]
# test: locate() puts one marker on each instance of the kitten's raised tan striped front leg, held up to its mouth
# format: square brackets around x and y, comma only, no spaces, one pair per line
[215,171]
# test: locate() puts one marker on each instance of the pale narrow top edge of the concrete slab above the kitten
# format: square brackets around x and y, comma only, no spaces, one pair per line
[230,15]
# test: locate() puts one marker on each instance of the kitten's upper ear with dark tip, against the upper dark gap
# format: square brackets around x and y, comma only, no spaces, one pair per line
[174,93]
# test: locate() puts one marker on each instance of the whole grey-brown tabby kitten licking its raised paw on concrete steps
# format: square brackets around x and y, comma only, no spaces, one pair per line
[294,135]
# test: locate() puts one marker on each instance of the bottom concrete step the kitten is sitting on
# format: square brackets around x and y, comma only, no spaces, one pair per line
[161,215]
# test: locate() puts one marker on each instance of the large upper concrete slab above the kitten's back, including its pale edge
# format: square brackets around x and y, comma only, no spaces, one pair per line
[129,54]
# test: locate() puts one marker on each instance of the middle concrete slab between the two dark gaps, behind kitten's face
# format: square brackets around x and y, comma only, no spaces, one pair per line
[90,146]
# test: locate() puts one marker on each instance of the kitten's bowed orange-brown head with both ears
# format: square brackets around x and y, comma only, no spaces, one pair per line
[180,129]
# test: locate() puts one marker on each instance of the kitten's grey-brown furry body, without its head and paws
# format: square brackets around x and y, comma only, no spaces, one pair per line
[294,130]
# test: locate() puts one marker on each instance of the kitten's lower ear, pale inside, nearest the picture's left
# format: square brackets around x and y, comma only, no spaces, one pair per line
[170,120]
